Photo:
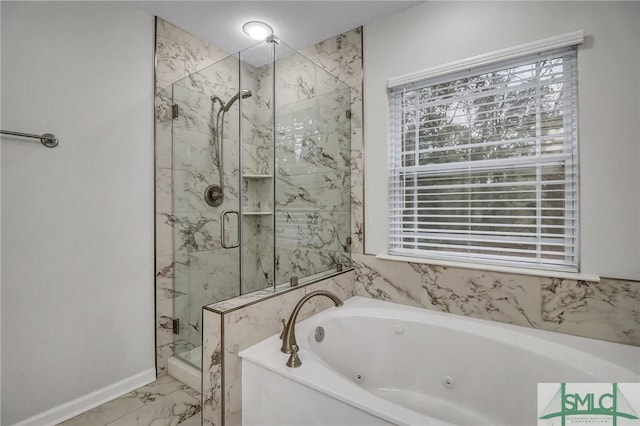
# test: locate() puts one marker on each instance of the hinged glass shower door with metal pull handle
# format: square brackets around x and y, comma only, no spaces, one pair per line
[205,120]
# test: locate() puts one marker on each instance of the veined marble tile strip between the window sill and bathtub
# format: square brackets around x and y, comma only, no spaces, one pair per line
[608,310]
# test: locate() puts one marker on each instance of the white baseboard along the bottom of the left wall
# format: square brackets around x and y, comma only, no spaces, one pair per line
[71,409]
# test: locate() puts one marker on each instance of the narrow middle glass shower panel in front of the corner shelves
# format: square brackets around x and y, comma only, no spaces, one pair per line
[256,71]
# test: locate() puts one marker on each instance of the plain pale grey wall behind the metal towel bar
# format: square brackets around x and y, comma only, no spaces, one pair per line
[77,220]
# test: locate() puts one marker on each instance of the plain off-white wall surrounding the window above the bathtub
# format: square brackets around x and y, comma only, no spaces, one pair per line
[437,33]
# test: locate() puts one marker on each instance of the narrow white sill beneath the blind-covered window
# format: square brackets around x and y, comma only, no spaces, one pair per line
[495,268]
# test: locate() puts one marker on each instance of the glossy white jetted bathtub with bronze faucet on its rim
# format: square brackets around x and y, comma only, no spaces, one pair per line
[384,363]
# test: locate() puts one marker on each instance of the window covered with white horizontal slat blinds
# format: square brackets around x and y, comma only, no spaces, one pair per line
[484,164]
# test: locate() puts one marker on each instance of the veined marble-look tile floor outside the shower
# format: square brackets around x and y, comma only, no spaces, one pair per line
[165,402]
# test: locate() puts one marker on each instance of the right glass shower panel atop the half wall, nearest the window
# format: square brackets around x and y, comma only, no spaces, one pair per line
[312,173]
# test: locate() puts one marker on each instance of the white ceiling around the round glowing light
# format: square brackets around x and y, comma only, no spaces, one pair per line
[297,23]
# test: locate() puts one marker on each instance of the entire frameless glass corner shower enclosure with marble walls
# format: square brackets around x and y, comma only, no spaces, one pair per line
[261,181]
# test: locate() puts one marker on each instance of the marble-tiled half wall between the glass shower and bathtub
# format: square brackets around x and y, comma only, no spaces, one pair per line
[236,324]
